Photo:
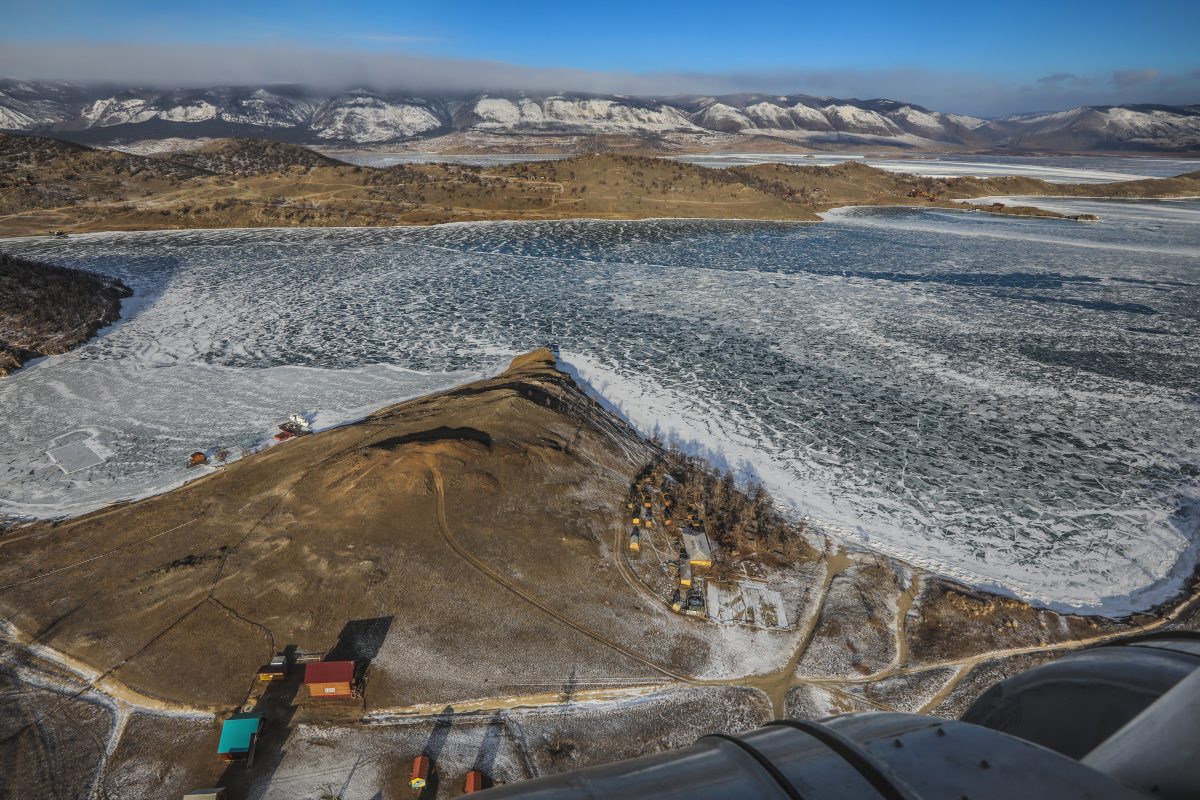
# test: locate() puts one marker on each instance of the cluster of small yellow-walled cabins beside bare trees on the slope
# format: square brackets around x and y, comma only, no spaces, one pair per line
[653,506]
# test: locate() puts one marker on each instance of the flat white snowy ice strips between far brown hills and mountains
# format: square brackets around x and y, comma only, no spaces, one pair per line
[1057,170]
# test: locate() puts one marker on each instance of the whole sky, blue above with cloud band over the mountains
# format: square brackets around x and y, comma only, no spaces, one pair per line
[975,58]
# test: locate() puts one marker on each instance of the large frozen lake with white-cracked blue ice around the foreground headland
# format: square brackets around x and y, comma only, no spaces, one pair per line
[1011,401]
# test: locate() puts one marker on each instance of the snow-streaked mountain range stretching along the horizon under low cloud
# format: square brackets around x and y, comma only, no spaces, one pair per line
[367,119]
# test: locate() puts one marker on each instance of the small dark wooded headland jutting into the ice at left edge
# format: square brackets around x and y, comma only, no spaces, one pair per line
[47,310]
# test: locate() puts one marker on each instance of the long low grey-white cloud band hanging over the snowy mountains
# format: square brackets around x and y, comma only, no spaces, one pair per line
[189,65]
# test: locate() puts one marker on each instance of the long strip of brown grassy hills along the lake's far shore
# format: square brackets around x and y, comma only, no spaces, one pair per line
[239,183]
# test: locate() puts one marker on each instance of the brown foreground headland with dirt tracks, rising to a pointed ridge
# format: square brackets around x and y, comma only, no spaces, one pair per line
[473,545]
